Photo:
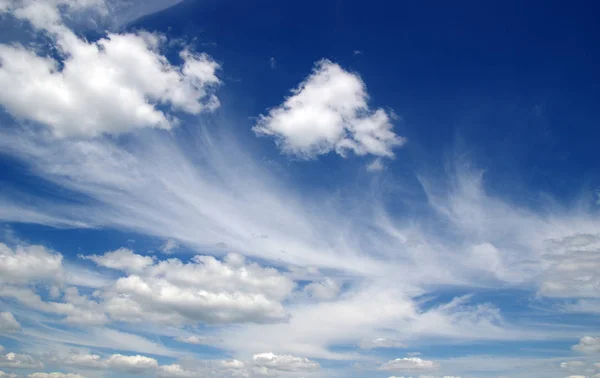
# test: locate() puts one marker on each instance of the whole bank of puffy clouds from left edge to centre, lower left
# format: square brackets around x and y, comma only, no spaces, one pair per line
[170,291]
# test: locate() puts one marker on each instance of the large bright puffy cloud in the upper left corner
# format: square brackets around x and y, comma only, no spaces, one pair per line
[112,85]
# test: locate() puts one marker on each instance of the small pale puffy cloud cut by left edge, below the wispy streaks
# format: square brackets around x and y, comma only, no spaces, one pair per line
[28,263]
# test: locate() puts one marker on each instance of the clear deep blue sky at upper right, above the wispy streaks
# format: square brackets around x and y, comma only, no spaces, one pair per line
[518,78]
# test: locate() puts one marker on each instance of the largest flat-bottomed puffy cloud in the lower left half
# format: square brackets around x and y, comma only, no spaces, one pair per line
[202,290]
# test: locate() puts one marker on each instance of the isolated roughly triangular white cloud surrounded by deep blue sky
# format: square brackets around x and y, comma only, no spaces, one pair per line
[328,111]
